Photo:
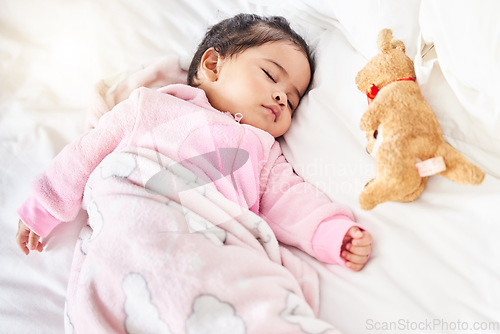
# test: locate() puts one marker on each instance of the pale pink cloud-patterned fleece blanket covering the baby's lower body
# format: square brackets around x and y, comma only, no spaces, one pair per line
[178,257]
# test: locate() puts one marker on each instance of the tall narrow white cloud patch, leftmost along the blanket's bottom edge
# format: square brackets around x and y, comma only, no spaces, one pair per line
[142,316]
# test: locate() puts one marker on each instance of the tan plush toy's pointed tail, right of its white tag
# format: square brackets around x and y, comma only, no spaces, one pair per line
[458,168]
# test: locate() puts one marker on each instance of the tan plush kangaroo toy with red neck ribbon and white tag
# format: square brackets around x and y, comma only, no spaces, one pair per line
[403,133]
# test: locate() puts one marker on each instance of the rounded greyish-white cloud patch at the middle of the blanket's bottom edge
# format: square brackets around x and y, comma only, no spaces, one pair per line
[213,316]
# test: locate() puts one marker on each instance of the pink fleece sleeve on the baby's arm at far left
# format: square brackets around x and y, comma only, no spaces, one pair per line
[57,193]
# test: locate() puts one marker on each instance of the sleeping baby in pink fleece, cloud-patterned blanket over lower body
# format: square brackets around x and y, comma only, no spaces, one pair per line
[190,199]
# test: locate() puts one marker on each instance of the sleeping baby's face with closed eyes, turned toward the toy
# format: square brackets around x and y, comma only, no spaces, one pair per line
[264,84]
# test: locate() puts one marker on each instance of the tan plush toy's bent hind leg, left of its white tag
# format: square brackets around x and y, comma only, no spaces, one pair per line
[397,180]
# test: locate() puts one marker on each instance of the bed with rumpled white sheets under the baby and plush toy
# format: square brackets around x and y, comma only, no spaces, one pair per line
[435,265]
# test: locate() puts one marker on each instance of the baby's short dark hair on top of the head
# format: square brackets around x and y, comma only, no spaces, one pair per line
[243,31]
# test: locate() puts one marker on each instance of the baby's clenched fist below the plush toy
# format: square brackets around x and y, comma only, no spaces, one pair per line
[356,248]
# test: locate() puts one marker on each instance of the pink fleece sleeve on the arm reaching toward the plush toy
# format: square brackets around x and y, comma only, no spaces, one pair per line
[301,215]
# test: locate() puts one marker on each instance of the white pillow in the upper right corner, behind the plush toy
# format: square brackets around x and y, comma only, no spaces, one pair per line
[466,37]
